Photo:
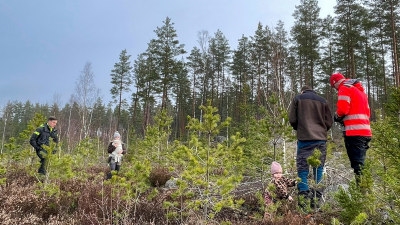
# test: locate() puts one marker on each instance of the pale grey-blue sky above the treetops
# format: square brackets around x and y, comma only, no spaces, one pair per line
[45,44]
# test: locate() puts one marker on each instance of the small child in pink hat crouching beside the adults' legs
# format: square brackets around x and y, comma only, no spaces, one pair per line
[280,187]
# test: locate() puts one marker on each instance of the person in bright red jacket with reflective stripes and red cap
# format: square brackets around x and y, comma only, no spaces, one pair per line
[353,113]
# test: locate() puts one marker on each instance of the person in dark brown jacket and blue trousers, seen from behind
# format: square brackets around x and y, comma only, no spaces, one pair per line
[311,117]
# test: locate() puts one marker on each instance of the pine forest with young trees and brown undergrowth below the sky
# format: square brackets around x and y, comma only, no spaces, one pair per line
[203,125]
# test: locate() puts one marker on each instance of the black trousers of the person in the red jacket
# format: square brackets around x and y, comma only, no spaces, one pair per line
[357,147]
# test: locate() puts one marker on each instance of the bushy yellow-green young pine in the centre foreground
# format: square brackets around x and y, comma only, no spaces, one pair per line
[211,171]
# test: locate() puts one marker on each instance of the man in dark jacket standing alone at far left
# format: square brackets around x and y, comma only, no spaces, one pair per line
[41,137]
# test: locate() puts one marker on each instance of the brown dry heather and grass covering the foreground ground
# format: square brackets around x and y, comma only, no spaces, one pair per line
[92,200]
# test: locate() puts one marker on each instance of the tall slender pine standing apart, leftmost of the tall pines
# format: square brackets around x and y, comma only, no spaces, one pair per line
[121,79]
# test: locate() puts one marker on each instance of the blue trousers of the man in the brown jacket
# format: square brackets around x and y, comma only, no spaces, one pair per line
[304,150]
